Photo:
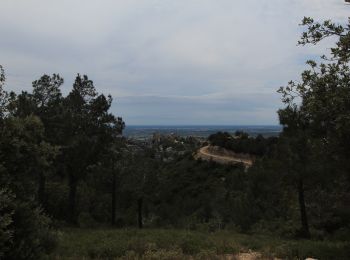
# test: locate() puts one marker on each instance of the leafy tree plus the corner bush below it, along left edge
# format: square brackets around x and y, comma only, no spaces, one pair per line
[23,154]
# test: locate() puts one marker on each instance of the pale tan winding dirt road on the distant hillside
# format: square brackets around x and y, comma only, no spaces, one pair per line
[205,154]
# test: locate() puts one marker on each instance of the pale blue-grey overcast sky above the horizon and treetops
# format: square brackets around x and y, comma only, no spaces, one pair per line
[167,62]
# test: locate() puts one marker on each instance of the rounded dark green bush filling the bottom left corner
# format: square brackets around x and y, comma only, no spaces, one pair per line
[24,229]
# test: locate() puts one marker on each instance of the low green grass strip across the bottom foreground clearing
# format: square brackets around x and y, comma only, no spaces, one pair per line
[182,244]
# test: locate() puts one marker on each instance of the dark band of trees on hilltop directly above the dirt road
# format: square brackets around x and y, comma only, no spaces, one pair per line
[240,142]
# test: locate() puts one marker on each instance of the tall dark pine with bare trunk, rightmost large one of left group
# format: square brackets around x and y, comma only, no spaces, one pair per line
[88,132]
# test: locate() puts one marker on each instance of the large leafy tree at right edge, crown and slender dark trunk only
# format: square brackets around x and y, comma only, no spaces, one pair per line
[317,113]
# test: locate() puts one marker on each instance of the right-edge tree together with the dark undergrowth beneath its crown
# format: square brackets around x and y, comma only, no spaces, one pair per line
[316,129]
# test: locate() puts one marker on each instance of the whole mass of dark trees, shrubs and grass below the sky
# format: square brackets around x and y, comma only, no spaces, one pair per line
[64,163]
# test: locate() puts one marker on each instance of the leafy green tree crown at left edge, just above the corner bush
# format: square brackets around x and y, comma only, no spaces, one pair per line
[24,153]
